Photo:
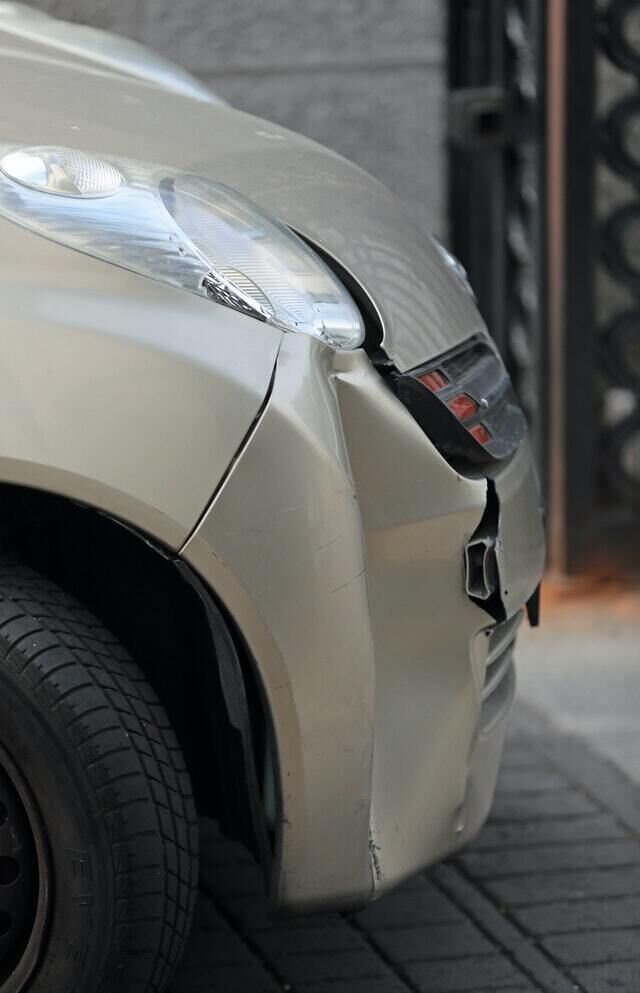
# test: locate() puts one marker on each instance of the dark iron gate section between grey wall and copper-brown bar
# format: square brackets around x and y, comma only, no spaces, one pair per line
[497,176]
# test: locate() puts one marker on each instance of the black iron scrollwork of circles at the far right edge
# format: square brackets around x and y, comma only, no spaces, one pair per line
[619,333]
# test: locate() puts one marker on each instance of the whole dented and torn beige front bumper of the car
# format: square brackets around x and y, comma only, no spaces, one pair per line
[337,545]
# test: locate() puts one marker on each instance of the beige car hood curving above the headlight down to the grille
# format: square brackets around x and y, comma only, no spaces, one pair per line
[49,100]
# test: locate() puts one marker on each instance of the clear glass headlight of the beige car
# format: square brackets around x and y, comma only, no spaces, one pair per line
[179,229]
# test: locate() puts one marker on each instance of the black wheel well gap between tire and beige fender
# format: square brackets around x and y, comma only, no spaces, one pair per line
[142,593]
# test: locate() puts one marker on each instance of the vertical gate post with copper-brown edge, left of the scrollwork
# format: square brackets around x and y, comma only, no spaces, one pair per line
[570,274]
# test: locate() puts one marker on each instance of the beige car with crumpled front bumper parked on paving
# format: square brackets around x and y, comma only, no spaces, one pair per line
[270,519]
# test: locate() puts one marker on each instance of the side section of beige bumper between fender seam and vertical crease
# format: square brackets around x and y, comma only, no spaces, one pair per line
[282,546]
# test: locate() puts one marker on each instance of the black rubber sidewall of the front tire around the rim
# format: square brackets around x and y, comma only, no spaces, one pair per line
[80,924]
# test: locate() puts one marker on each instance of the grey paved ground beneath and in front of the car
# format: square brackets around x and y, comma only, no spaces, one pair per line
[547,898]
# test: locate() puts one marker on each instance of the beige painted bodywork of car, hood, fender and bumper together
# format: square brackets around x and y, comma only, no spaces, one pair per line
[336,538]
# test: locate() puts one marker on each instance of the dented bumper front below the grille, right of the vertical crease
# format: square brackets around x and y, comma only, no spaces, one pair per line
[418,515]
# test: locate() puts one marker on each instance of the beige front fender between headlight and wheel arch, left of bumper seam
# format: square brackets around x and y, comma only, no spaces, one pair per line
[118,391]
